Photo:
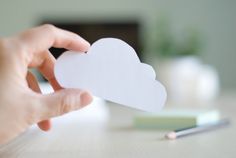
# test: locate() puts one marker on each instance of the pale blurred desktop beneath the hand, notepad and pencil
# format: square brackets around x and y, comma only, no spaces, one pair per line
[74,136]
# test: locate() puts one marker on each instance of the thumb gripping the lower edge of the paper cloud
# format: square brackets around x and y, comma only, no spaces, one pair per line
[63,101]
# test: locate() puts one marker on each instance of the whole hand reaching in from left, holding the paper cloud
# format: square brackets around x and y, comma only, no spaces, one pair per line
[21,102]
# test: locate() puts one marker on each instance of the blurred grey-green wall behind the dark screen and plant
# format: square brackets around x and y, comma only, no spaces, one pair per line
[215,18]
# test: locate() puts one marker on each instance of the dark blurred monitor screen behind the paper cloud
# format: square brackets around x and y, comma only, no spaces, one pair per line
[92,31]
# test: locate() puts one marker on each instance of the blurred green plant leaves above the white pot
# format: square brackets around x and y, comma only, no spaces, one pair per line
[167,45]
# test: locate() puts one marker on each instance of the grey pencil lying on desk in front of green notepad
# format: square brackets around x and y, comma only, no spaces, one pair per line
[196,129]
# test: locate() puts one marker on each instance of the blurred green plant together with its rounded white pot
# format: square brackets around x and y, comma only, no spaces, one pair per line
[179,66]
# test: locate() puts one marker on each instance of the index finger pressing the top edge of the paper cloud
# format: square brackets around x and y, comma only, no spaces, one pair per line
[41,38]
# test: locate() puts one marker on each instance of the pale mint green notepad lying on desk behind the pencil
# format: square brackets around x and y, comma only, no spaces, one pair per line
[176,119]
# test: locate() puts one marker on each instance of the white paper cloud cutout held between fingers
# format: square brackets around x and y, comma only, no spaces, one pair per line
[112,70]
